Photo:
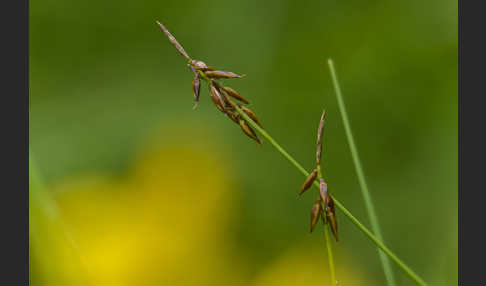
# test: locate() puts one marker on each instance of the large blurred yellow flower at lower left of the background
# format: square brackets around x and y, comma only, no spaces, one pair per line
[162,224]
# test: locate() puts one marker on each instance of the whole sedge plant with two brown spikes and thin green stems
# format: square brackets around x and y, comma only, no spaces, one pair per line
[233,105]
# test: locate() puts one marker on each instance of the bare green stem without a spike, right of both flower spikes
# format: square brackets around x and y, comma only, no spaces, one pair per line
[375,226]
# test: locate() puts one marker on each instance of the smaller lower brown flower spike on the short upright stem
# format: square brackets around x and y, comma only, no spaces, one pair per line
[324,206]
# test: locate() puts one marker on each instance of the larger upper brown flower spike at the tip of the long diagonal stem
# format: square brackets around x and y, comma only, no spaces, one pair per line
[220,95]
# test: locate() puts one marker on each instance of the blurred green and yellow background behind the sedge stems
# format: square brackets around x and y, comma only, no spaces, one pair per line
[130,186]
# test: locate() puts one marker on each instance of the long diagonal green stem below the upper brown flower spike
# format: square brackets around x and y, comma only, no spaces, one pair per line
[354,220]
